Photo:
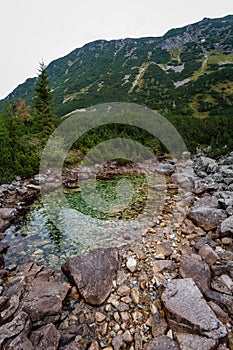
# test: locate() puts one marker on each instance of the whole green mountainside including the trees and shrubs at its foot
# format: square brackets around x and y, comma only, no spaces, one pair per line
[186,75]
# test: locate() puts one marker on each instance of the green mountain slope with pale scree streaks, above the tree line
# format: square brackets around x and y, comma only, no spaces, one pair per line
[188,71]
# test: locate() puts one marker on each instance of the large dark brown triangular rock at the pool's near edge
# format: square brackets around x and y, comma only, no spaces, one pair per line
[93,273]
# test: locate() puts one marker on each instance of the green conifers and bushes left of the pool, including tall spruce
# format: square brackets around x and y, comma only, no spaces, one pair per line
[25,129]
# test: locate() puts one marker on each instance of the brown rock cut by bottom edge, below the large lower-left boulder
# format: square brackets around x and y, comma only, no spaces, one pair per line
[46,337]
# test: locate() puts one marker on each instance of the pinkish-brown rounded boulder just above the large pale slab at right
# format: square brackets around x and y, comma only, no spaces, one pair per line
[194,267]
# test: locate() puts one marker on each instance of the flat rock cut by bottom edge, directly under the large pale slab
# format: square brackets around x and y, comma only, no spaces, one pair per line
[194,342]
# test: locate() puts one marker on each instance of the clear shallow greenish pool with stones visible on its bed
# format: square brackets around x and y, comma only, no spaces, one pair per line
[103,213]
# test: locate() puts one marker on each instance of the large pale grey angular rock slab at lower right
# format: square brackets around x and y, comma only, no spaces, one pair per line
[186,306]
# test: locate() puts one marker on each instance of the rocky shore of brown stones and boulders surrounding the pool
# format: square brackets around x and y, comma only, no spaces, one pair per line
[171,288]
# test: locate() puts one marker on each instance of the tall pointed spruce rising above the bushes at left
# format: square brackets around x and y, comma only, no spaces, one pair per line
[45,118]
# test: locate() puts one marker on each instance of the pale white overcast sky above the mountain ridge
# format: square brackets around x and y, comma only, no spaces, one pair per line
[33,30]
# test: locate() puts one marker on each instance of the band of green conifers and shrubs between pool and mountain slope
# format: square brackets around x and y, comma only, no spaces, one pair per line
[24,131]
